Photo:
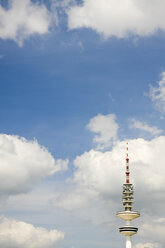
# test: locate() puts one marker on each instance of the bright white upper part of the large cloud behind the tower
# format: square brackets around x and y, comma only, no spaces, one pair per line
[103,171]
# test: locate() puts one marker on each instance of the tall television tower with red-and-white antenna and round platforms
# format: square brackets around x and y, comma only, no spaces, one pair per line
[128,215]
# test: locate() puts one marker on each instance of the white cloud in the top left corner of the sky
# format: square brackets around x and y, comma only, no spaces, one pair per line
[22,19]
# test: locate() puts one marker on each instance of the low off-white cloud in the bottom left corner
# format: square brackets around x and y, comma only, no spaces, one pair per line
[18,234]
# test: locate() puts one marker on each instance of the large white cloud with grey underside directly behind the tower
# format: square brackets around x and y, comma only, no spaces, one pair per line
[96,187]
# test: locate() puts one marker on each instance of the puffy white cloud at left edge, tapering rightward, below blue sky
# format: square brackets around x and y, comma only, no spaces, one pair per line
[24,163]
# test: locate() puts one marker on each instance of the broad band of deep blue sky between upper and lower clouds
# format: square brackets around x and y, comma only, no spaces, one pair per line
[53,91]
